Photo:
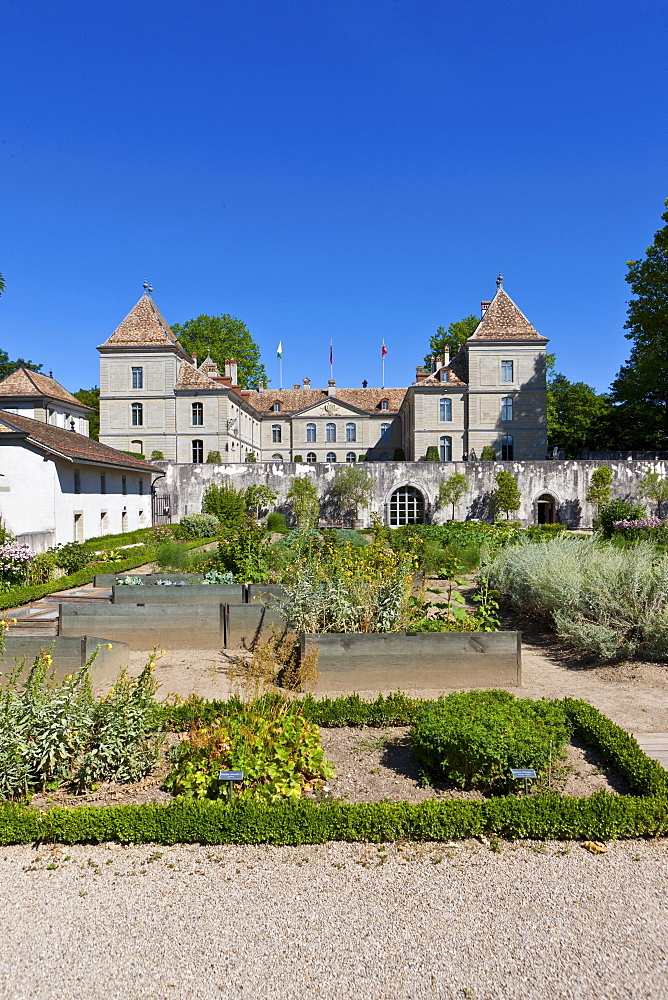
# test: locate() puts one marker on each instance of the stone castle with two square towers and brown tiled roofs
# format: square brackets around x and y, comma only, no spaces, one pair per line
[154,397]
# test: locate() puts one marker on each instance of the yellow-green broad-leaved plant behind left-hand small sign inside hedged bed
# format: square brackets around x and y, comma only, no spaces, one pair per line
[276,747]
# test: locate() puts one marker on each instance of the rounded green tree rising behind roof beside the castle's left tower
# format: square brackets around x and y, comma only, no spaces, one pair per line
[223,337]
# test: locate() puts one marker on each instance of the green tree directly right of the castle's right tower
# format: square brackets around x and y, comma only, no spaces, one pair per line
[577,416]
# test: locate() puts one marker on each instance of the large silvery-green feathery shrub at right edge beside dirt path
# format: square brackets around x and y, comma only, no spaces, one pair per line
[604,601]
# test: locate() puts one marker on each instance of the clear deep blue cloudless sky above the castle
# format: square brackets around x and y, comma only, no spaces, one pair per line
[328,169]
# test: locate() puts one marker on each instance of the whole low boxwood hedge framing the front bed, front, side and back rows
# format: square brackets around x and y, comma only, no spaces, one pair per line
[644,813]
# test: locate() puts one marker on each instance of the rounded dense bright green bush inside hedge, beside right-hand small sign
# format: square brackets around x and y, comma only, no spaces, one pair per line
[472,739]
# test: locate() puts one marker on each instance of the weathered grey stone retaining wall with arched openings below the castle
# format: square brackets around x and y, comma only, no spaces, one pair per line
[566,482]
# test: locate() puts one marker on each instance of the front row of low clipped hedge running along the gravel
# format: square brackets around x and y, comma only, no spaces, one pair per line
[603,816]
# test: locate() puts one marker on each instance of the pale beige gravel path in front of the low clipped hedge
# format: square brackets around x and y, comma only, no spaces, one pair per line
[335,921]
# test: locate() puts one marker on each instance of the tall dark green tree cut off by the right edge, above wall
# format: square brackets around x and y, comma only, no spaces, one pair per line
[640,391]
